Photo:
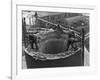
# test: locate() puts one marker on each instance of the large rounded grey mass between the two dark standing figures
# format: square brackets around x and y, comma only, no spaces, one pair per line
[53,43]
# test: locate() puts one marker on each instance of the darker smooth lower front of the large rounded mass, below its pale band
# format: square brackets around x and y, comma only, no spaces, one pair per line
[54,47]
